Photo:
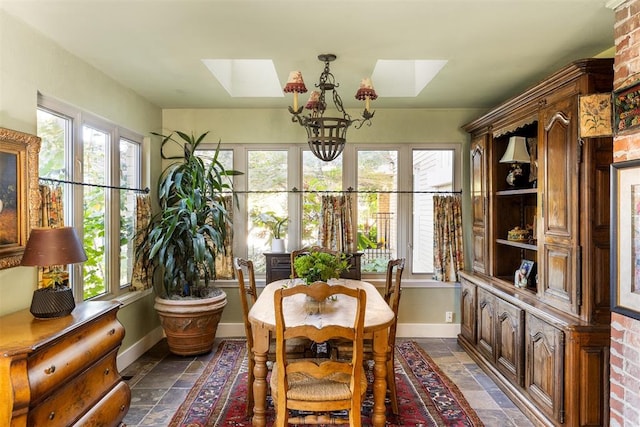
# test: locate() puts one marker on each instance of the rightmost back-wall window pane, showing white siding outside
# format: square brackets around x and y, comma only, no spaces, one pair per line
[432,171]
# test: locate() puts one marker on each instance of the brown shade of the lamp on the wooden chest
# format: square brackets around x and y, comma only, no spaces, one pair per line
[53,246]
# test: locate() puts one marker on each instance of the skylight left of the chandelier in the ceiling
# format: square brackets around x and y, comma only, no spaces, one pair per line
[243,78]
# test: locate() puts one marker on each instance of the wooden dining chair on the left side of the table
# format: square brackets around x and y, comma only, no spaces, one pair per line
[248,295]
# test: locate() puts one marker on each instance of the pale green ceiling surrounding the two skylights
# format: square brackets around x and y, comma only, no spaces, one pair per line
[493,48]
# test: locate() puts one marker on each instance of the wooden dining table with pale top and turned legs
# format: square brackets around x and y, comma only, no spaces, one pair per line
[378,318]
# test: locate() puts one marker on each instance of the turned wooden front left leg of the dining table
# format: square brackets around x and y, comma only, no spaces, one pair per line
[260,349]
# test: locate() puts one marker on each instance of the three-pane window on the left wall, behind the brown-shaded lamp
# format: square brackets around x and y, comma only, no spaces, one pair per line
[104,217]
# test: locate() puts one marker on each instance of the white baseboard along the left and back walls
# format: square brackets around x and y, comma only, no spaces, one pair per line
[227,330]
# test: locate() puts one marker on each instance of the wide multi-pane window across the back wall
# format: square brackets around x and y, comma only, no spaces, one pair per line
[394,209]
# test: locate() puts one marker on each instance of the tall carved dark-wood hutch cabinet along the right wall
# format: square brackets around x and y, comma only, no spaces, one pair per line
[547,343]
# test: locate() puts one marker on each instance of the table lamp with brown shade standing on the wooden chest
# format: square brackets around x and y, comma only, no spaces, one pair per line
[55,248]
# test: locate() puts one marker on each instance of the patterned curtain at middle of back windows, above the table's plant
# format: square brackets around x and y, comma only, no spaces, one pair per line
[336,219]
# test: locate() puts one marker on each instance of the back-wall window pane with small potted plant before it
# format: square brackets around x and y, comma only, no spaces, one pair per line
[266,171]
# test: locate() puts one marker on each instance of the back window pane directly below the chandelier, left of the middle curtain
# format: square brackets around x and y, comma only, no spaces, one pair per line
[317,175]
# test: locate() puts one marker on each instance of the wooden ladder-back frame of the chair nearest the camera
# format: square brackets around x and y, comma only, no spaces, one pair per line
[352,369]
